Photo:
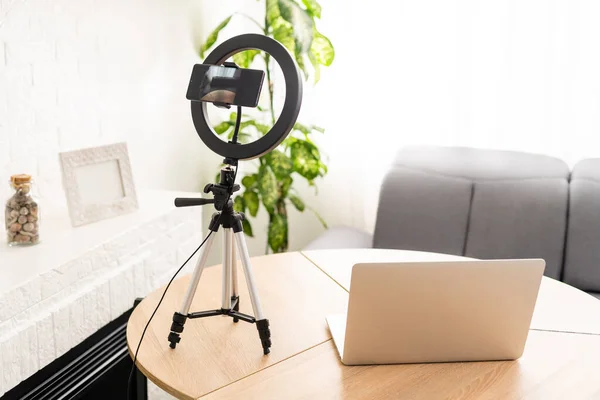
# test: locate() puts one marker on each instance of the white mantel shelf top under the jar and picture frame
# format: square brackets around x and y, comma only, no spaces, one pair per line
[60,242]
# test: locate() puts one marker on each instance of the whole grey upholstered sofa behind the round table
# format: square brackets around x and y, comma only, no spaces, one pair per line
[488,204]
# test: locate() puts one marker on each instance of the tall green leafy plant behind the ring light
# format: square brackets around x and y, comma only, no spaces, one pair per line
[298,157]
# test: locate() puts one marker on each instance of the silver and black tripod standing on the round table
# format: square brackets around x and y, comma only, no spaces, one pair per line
[231,222]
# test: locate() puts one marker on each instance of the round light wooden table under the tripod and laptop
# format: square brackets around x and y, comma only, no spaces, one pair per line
[217,359]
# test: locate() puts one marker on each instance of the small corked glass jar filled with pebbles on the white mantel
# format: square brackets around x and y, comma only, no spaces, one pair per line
[22,213]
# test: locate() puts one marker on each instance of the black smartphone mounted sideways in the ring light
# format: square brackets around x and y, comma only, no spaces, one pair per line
[225,85]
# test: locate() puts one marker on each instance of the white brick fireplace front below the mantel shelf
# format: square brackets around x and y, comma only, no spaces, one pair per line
[46,316]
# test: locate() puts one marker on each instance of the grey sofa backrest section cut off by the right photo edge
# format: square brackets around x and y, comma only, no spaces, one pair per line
[582,258]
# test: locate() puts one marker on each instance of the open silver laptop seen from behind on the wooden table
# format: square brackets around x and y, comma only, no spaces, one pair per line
[421,312]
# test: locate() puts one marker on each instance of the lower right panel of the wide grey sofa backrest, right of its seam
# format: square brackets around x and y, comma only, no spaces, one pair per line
[519,219]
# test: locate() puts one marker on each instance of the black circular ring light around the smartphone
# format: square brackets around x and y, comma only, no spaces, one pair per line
[291,106]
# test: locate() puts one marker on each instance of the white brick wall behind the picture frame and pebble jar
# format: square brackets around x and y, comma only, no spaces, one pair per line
[79,73]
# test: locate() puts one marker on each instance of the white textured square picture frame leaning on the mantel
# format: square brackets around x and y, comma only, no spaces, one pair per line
[98,183]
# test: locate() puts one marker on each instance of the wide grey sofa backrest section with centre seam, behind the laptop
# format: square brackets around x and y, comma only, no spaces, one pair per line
[474,202]
